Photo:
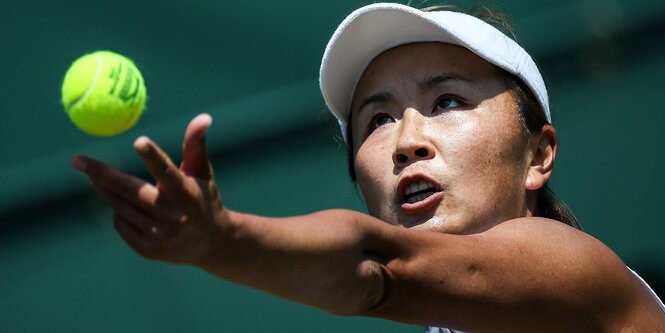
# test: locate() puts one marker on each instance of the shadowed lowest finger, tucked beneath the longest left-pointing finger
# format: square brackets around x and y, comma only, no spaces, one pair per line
[138,218]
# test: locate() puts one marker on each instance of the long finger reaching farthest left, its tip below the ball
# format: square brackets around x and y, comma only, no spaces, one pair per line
[130,188]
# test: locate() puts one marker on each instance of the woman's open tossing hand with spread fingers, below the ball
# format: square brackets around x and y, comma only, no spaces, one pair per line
[175,219]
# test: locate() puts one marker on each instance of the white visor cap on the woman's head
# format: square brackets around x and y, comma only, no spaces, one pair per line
[373,29]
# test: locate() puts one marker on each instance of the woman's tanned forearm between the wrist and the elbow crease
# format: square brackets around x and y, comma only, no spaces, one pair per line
[325,259]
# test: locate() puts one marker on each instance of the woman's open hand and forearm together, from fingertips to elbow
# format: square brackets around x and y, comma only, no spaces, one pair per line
[319,259]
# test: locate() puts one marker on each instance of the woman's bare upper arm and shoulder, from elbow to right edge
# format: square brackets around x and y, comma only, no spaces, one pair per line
[527,274]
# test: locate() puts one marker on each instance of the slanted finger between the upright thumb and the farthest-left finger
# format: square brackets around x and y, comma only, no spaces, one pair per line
[159,164]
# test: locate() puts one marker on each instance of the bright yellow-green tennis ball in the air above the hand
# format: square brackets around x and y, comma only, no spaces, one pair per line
[103,93]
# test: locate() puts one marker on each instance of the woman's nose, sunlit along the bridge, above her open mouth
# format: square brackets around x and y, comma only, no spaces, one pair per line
[413,144]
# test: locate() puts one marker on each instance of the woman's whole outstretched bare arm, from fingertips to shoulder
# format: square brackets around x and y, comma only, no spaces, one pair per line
[525,274]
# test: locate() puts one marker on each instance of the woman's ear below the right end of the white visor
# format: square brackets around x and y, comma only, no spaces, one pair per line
[543,153]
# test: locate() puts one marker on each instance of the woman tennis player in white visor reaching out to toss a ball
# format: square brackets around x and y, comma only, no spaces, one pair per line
[450,137]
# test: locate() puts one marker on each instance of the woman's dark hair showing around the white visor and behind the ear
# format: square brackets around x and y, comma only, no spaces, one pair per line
[531,116]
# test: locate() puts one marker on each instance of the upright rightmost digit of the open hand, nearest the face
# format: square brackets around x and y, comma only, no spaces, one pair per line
[195,153]
